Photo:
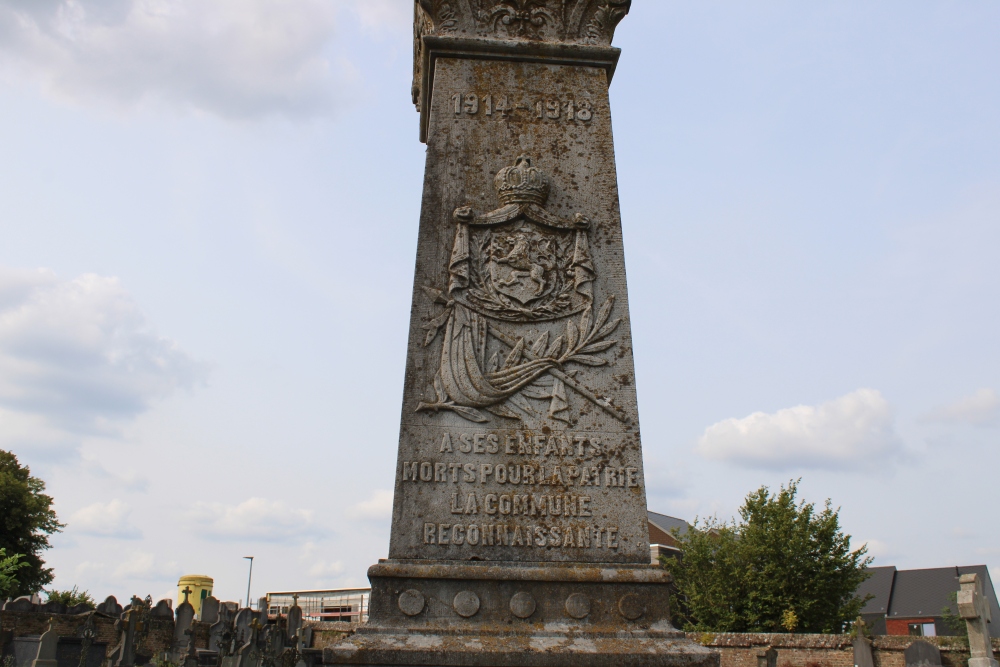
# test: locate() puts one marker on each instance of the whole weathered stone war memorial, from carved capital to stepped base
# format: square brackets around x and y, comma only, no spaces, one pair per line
[519,532]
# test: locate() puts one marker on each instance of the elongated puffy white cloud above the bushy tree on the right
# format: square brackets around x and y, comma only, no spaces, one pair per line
[847,432]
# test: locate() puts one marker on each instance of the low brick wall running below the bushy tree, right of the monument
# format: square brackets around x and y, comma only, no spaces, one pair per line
[743,649]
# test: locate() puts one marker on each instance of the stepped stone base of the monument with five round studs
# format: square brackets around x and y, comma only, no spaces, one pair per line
[483,614]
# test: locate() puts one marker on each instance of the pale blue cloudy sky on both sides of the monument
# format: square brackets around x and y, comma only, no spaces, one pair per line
[208,214]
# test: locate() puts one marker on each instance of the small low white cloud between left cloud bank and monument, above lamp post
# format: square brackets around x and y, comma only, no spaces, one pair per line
[255,519]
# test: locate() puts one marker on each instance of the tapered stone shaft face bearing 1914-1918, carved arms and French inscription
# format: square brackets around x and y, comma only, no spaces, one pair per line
[531,294]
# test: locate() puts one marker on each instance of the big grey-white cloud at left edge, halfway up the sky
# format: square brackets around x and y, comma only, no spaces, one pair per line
[78,358]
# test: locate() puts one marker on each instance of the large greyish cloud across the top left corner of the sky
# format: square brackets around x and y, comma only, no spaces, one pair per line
[234,58]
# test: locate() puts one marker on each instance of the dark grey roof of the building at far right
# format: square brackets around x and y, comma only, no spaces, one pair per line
[926,592]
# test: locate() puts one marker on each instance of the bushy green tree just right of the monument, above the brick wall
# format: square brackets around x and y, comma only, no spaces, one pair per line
[783,567]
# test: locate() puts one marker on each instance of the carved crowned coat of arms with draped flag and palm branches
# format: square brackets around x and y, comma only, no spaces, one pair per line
[511,269]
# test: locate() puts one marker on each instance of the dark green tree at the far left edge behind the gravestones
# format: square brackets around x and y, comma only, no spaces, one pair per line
[26,521]
